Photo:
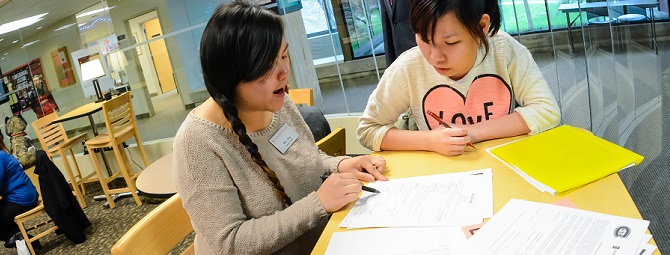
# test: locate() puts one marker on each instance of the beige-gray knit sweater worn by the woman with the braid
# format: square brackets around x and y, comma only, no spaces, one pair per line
[231,201]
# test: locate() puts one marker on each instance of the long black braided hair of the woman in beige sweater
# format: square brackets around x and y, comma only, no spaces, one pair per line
[243,41]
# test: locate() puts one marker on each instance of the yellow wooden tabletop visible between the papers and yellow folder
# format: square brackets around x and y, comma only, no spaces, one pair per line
[607,195]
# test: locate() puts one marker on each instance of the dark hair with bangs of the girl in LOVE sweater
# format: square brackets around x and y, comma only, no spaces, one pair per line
[424,15]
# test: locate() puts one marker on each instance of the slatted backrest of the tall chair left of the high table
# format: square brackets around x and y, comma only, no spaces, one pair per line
[48,134]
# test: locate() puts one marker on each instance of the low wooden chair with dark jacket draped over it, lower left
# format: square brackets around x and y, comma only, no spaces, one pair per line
[38,211]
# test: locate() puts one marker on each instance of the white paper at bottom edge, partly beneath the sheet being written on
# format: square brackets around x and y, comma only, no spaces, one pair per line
[395,241]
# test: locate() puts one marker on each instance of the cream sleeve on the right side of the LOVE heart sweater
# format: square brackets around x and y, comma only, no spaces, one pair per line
[538,107]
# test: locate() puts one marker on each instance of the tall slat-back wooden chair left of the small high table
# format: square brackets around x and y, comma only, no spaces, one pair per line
[54,141]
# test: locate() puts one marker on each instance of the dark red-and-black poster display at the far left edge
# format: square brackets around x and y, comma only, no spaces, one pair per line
[29,89]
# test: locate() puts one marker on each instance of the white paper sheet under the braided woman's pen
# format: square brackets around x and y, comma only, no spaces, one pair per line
[457,199]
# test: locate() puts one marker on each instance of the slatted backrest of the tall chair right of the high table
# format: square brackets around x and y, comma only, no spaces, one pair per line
[119,114]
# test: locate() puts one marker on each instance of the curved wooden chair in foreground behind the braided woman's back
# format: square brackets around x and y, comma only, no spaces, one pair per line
[158,232]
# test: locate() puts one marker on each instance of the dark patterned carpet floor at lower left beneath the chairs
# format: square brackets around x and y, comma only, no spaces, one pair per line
[107,226]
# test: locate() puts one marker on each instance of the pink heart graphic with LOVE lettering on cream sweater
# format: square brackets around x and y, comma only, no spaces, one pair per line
[489,97]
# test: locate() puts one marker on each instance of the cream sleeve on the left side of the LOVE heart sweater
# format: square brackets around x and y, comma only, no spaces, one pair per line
[386,103]
